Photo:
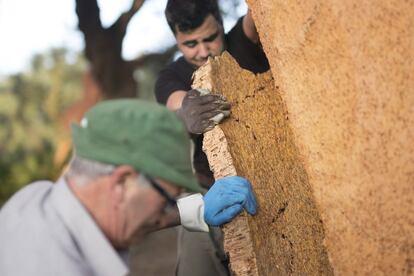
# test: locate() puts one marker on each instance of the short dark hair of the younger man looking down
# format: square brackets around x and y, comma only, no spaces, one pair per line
[188,15]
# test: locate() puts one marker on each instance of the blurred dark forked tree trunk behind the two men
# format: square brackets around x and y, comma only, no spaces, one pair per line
[103,49]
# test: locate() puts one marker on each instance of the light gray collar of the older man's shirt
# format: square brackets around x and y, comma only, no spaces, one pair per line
[90,240]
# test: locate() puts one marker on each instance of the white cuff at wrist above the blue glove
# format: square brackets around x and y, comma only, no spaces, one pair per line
[191,210]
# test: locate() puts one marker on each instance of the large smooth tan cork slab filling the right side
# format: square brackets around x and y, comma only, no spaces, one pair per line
[345,71]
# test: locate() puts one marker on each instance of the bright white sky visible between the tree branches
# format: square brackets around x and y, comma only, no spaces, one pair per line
[28,27]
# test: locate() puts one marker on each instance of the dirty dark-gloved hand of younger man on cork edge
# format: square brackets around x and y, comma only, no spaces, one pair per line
[201,113]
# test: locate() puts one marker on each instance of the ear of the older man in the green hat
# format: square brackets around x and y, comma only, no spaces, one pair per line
[117,181]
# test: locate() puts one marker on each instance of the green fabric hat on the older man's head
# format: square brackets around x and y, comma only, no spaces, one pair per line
[142,134]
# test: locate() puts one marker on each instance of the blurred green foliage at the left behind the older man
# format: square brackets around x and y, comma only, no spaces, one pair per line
[31,105]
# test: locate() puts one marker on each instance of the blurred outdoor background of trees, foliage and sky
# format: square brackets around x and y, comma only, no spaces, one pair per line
[58,58]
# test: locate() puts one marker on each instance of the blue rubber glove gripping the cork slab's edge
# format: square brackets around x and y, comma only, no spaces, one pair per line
[227,198]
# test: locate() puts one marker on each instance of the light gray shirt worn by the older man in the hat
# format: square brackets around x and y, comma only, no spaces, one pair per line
[44,230]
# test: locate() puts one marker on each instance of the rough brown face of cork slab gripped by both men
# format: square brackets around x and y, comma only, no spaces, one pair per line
[287,233]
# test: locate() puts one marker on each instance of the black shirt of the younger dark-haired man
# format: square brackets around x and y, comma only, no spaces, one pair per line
[178,76]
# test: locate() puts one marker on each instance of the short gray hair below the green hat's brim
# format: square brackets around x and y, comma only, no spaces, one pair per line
[84,170]
